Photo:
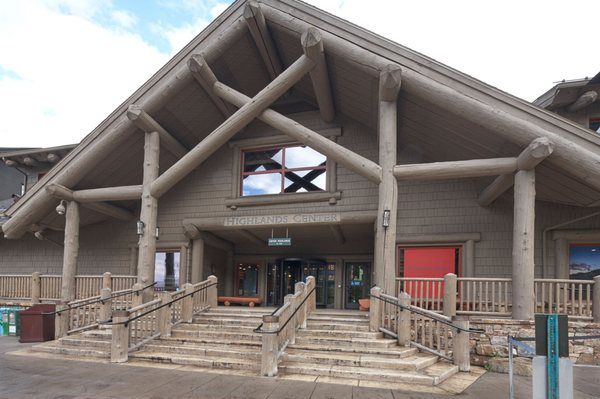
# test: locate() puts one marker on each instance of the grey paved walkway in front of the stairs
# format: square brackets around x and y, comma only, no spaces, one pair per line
[51,378]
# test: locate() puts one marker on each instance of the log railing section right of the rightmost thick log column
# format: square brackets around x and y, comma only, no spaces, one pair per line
[573,297]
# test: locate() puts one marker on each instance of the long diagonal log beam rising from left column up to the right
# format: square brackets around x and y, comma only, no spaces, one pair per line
[231,126]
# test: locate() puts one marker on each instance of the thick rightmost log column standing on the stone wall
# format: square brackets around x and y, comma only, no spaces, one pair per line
[523,267]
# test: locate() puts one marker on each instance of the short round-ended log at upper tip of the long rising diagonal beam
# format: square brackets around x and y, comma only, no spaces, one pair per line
[312,45]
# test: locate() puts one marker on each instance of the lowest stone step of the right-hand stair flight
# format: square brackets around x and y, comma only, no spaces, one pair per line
[422,377]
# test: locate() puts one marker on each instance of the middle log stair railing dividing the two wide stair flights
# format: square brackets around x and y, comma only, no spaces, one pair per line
[279,328]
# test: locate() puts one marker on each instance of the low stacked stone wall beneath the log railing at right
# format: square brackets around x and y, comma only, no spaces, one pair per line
[490,348]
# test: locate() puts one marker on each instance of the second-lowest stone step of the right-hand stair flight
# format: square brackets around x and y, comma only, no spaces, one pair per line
[413,363]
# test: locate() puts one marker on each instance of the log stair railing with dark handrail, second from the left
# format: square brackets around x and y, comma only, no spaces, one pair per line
[133,328]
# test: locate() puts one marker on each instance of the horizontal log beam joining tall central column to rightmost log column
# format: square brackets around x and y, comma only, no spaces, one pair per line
[455,169]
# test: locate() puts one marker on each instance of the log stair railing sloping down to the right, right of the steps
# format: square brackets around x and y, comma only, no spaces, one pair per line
[443,336]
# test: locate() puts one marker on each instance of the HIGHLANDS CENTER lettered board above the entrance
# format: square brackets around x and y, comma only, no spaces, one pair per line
[283,220]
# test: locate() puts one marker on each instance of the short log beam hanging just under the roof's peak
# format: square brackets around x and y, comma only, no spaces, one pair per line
[257,25]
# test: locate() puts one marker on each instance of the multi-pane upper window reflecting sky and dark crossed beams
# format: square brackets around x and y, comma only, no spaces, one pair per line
[284,169]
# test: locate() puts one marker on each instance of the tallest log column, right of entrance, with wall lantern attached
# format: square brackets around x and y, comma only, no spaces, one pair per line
[385,237]
